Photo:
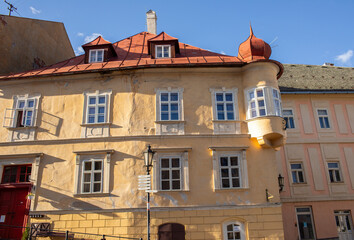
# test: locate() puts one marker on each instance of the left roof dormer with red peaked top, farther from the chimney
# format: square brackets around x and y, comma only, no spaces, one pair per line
[98,50]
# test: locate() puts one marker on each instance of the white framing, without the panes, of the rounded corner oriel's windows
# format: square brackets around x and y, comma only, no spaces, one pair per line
[269,102]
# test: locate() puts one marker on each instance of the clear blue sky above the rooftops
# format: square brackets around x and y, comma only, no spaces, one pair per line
[300,32]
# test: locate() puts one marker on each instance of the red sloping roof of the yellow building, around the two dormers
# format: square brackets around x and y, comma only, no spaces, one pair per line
[132,53]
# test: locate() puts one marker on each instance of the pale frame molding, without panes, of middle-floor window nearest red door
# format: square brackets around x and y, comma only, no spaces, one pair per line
[80,157]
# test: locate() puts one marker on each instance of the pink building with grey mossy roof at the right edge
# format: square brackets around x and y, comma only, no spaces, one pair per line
[317,162]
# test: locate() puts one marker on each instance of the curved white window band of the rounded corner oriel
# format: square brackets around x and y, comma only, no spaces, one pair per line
[263,101]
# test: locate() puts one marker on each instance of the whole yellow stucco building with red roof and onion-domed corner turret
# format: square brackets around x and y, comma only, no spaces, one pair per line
[74,135]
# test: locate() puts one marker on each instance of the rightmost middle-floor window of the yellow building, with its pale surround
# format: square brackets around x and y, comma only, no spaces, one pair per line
[229,169]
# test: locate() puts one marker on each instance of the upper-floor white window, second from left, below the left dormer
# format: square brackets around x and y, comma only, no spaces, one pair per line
[96,109]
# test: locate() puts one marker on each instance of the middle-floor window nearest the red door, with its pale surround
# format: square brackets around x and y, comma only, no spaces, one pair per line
[92,172]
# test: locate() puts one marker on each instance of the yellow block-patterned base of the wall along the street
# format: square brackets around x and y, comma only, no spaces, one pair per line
[259,222]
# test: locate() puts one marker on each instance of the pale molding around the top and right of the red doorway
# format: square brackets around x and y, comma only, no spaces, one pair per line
[21,159]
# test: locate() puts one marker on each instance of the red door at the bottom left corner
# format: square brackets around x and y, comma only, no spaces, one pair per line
[13,208]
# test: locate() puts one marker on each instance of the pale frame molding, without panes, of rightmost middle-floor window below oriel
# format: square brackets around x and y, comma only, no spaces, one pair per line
[240,152]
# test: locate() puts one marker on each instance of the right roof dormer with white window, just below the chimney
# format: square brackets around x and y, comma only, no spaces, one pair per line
[163,46]
